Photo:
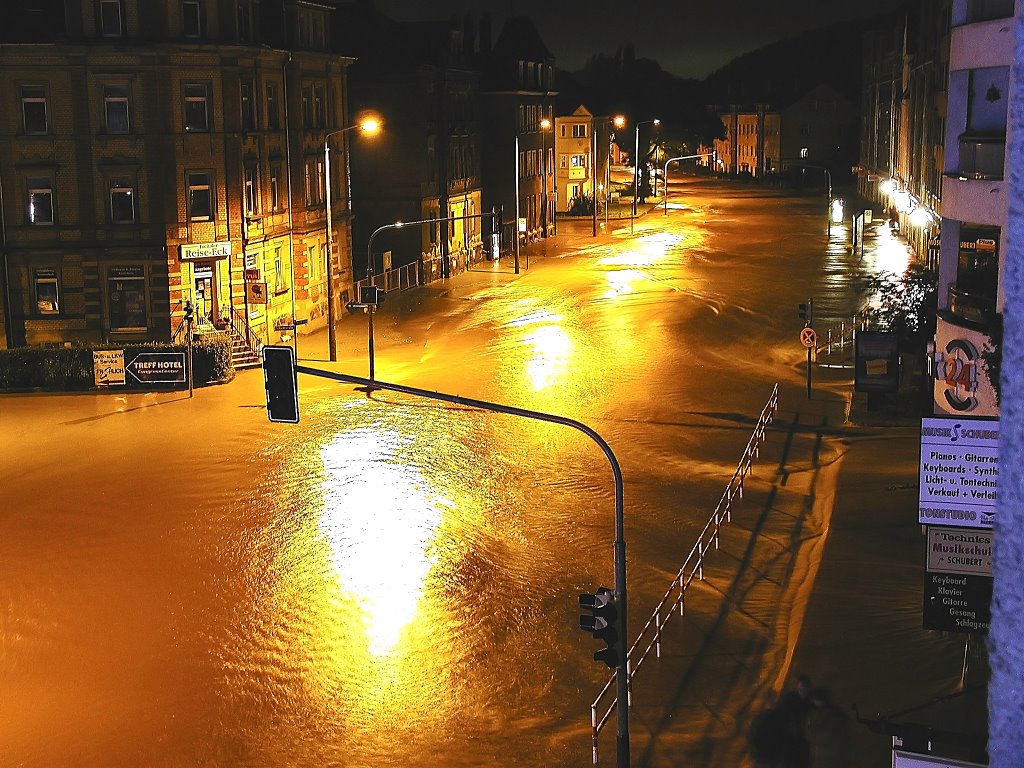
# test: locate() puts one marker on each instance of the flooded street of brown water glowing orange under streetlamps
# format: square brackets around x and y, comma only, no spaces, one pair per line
[394,581]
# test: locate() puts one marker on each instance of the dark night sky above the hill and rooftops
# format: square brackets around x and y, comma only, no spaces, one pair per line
[689,38]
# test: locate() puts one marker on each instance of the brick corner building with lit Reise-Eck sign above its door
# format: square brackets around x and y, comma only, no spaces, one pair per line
[158,154]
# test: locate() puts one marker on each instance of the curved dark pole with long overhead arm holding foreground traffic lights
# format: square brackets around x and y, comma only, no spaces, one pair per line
[622,670]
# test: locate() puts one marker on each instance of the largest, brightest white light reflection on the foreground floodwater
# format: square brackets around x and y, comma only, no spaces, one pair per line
[381,520]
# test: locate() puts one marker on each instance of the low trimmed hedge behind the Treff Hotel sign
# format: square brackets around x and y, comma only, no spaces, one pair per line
[70,369]
